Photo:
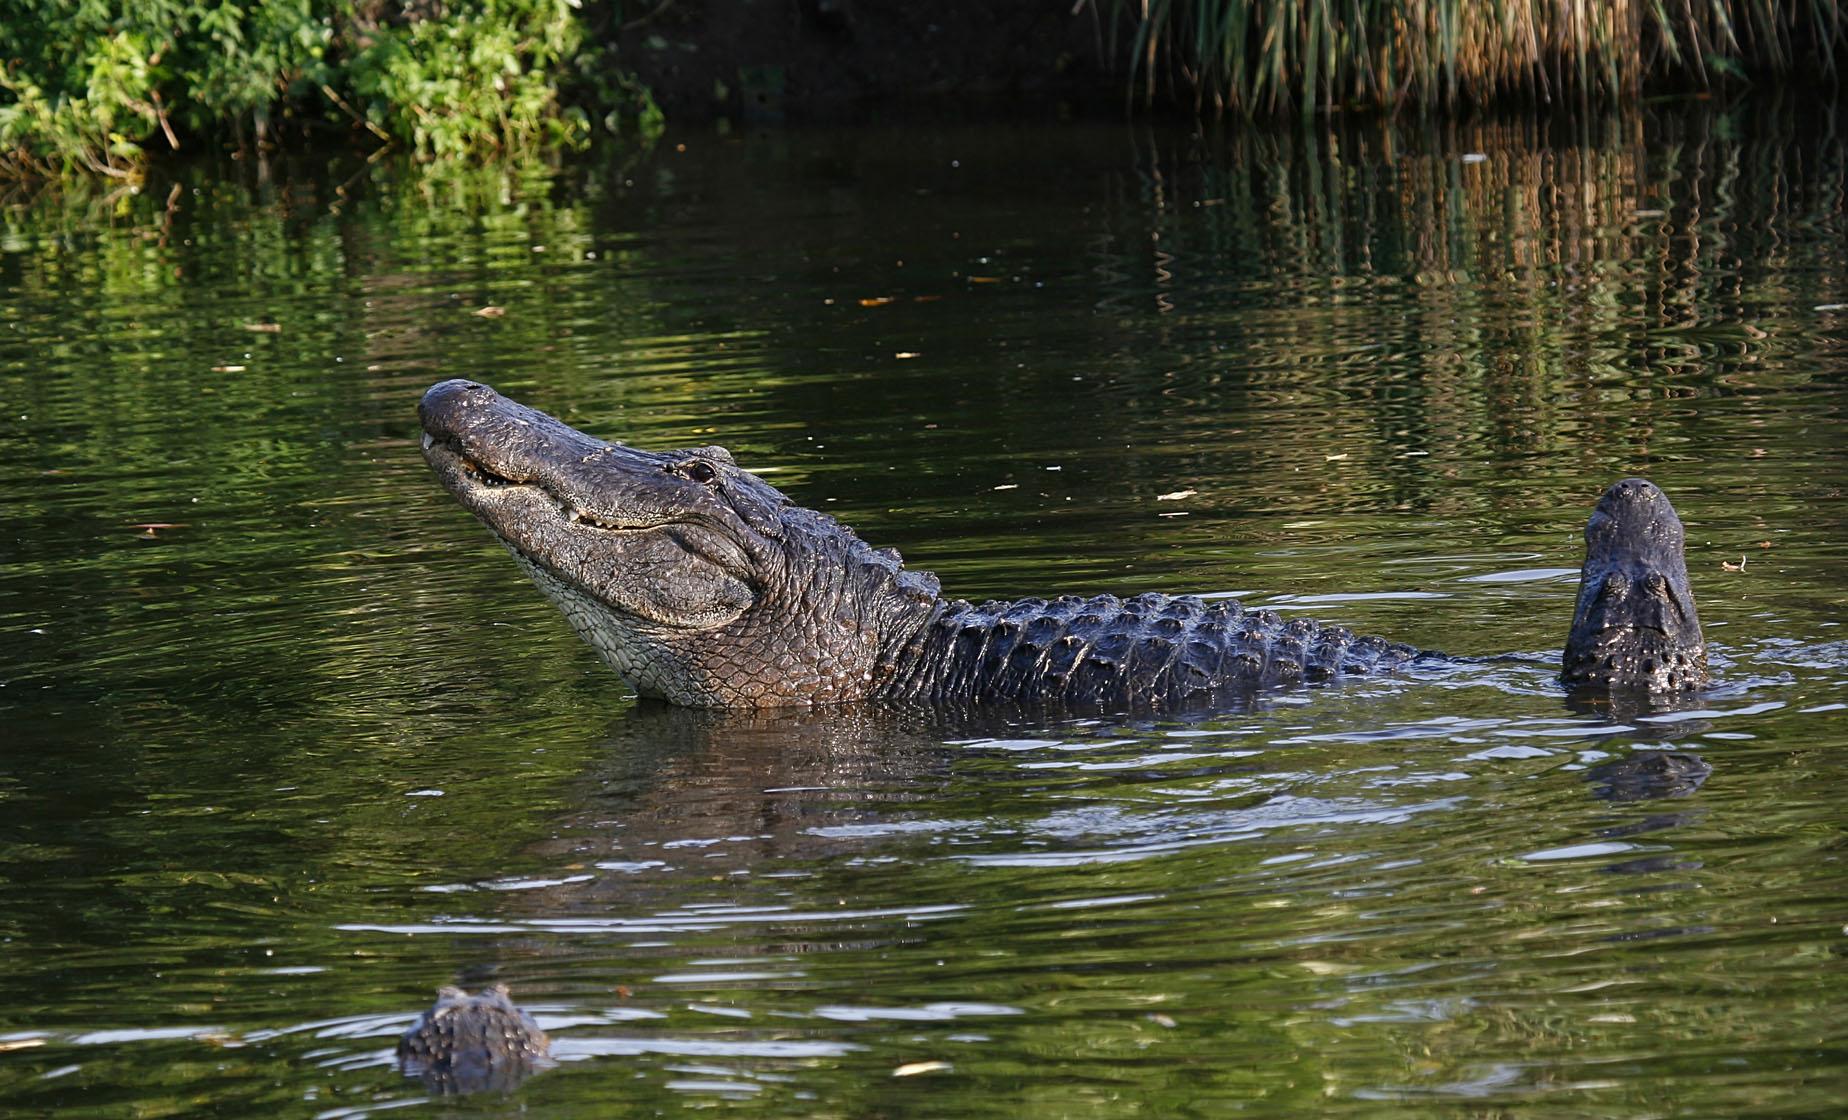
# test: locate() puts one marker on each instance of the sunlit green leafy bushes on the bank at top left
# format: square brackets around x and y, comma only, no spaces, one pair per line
[91,86]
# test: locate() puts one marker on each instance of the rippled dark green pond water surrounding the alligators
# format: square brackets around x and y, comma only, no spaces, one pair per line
[284,766]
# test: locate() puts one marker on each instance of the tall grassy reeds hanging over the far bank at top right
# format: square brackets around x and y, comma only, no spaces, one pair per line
[1258,56]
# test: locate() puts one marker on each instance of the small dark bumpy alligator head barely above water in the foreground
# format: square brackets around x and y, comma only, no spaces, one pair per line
[472,1043]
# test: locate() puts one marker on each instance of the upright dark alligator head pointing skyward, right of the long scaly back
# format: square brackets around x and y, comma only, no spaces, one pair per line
[1636,624]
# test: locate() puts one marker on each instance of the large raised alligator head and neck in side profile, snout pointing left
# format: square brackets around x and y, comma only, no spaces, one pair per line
[694,579]
